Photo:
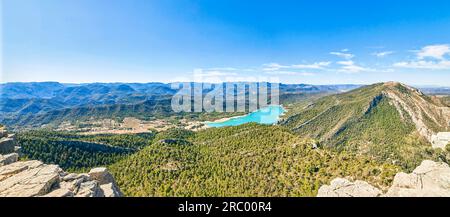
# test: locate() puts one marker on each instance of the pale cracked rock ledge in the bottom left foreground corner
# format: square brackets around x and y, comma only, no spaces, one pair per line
[36,179]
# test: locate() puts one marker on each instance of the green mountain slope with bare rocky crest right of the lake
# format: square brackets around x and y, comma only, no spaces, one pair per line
[389,121]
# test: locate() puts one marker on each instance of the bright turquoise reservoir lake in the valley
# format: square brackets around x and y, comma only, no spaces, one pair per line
[267,115]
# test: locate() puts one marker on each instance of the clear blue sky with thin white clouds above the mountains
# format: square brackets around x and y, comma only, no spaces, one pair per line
[317,42]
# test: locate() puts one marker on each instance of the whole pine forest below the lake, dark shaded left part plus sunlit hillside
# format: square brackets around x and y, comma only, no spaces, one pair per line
[247,160]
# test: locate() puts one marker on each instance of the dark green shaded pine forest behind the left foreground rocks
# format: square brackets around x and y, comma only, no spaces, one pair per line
[76,152]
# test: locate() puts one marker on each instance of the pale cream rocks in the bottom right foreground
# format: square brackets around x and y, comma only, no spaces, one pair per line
[430,179]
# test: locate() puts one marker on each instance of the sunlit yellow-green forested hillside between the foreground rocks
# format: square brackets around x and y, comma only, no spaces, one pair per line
[247,160]
